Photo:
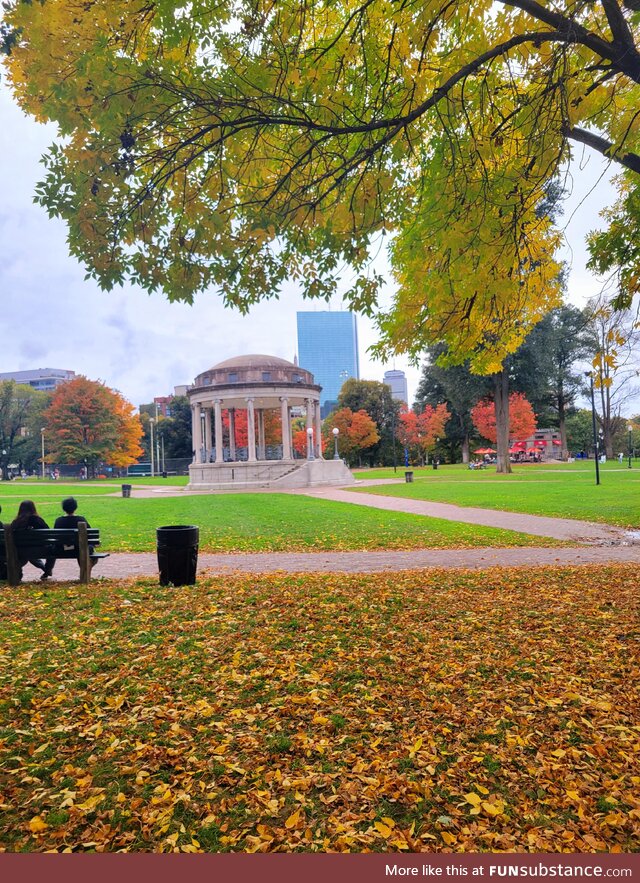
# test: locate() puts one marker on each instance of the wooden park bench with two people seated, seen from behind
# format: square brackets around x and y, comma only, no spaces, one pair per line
[48,543]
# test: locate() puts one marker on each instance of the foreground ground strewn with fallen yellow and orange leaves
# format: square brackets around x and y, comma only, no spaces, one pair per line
[455,711]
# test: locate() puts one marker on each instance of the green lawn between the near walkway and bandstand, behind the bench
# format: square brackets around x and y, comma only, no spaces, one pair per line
[254,522]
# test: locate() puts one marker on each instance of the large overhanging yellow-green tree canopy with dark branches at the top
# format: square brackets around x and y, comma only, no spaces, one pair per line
[241,144]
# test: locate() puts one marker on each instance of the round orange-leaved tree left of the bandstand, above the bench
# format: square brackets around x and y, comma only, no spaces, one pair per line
[88,422]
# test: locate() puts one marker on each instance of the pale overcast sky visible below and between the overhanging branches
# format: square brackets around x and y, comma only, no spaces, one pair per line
[140,344]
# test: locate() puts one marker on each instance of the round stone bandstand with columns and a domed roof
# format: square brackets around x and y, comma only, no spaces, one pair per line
[235,406]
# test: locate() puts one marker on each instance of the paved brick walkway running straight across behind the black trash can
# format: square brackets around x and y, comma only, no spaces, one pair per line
[124,565]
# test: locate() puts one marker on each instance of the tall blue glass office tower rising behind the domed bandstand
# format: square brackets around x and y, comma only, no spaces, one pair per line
[328,347]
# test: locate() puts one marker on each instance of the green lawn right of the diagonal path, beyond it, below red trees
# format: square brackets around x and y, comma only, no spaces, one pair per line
[563,490]
